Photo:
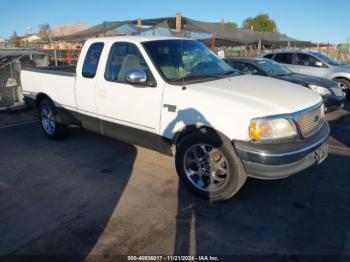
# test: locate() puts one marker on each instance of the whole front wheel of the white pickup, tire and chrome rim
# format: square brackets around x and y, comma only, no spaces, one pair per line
[220,160]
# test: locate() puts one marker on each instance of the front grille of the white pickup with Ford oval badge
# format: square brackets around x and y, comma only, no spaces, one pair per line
[309,122]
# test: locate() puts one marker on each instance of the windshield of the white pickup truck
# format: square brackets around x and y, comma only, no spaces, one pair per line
[185,60]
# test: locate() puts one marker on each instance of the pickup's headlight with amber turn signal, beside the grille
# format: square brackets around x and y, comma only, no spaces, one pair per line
[271,129]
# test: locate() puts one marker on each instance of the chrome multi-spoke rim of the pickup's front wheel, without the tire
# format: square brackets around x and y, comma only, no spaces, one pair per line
[206,167]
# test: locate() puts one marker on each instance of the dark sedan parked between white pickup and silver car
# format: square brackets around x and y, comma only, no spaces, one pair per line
[332,95]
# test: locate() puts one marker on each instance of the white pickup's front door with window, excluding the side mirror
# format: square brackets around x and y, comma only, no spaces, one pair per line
[127,111]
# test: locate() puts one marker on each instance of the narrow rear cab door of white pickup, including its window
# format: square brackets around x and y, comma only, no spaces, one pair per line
[85,86]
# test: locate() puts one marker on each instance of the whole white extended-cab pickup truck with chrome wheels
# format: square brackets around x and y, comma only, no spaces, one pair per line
[176,96]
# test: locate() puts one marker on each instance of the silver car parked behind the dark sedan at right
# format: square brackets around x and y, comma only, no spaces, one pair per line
[314,63]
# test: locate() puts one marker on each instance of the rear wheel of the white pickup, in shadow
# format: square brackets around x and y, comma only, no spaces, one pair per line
[48,121]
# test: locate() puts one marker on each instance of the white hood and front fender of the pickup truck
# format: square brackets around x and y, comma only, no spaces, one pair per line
[228,105]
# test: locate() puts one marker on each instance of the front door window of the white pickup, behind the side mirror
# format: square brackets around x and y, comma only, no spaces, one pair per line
[122,58]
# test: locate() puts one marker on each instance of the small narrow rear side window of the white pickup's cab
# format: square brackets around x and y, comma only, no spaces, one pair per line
[92,59]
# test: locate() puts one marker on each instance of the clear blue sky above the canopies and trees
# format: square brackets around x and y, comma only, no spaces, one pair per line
[310,20]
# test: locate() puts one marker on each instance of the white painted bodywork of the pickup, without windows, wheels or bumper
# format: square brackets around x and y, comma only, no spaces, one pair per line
[226,105]
